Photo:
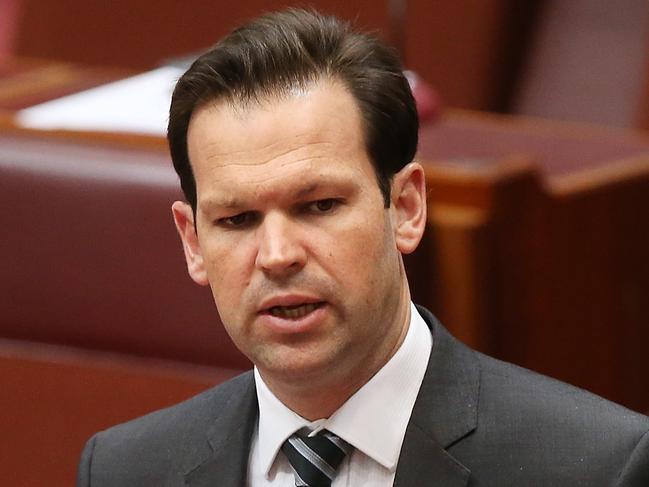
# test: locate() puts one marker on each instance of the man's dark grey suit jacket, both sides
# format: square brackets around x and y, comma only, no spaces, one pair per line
[476,422]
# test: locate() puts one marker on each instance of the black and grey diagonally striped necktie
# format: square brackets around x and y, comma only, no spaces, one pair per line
[315,460]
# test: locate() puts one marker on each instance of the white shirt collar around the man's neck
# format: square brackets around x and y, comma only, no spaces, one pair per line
[373,420]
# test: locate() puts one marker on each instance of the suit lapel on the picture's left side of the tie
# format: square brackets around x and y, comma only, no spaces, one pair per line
[229,439]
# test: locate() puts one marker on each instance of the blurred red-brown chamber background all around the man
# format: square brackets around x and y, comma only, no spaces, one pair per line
[533,137]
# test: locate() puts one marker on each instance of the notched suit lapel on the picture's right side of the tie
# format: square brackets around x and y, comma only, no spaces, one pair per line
[445,412]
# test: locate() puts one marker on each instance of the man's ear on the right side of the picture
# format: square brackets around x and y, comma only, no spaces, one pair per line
[408,207]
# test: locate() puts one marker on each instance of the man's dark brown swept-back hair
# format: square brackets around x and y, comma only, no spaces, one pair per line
[279,51]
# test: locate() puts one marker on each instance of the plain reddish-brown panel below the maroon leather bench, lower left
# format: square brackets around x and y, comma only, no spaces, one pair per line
[54,398]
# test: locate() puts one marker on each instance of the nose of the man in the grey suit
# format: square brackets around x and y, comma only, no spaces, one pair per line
[280,251]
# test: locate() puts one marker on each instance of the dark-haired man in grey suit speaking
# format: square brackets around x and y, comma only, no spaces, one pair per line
[294,139]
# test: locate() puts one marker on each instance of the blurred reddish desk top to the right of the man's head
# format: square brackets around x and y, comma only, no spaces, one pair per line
[478,141]
